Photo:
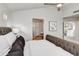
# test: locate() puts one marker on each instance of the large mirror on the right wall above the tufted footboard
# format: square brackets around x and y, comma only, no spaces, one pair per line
[71,29]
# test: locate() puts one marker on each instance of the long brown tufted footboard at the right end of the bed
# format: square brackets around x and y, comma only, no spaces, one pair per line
[71,47]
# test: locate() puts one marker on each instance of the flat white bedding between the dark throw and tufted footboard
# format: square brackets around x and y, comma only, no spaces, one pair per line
[43,48]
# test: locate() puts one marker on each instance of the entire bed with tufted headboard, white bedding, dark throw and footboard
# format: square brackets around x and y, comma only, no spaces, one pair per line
[11,45]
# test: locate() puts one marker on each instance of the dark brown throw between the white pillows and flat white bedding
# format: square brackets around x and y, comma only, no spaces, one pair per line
[17,47]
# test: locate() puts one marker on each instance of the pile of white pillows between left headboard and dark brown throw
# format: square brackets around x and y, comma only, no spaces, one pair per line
[6,42]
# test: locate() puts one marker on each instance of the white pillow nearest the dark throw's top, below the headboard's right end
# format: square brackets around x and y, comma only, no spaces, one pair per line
[10,37]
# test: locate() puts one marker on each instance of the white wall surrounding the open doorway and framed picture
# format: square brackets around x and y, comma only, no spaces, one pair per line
[24,19]
